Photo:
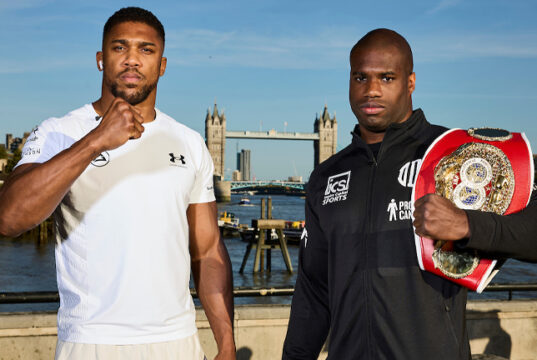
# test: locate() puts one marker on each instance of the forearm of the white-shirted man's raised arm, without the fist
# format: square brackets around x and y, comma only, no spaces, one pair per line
[33,191]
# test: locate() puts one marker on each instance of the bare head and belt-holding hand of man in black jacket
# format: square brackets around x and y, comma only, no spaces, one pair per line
[380,94]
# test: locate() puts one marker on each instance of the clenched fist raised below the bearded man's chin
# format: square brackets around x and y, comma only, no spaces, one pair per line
[120,122]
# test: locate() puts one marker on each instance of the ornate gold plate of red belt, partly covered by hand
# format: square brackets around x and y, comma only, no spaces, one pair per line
[476,176]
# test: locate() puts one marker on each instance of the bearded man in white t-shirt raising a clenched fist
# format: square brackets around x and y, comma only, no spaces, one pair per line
[132,194]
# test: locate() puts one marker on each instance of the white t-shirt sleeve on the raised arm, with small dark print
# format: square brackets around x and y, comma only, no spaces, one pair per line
[42,144]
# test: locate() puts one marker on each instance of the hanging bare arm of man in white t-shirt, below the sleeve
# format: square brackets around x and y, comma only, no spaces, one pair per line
[211,269]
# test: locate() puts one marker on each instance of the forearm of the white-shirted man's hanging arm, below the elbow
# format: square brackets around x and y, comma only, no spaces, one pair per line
[213,279]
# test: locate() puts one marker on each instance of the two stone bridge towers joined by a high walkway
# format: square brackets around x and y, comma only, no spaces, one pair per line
[324,137]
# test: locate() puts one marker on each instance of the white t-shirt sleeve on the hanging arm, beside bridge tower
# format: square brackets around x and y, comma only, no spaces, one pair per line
[203,190]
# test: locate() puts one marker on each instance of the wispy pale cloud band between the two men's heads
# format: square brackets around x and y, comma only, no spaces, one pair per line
[204,47]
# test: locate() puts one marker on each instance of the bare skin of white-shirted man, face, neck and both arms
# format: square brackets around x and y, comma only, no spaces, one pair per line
[132,64]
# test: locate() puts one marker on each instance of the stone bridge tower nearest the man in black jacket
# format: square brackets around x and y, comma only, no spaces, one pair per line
[326,127]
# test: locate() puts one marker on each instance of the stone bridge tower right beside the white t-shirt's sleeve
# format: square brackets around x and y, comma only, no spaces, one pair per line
[215,136]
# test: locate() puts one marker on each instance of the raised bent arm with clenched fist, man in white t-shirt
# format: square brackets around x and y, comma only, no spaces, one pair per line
[33,191]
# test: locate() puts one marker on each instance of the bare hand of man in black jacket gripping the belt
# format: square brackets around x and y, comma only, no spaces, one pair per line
[437,218]
